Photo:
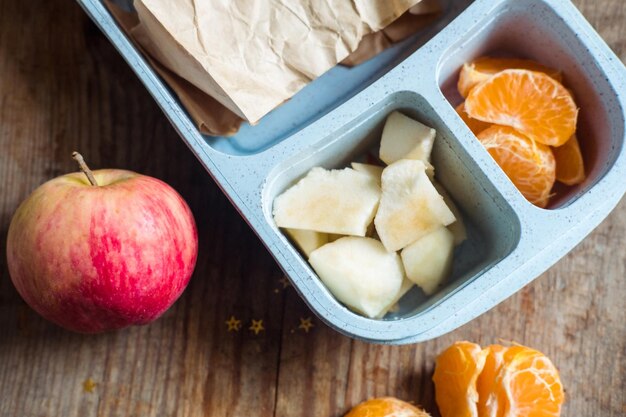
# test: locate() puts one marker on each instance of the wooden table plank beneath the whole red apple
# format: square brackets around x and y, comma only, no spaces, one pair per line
[64,87]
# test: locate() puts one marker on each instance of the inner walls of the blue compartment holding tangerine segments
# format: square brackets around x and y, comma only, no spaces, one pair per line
[531,29]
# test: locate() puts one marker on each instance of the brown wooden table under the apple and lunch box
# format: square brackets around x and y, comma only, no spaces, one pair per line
[63,87]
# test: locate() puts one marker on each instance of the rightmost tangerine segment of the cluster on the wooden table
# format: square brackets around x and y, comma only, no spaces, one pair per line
[529,384]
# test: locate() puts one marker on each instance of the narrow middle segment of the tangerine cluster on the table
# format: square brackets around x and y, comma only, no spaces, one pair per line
[489,404]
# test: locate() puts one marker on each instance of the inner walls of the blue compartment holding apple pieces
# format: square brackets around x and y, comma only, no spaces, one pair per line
[493,227]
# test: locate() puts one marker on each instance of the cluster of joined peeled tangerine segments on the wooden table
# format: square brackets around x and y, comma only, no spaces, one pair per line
[497,381]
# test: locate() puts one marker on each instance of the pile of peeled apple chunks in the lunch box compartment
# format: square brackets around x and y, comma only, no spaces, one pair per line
[371,232]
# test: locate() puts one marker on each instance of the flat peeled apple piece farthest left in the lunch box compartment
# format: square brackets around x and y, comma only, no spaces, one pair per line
[339,201]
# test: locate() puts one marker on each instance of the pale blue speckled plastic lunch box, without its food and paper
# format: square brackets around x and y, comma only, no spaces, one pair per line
[334,119]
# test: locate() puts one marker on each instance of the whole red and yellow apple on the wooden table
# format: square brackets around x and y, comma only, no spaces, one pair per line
[98,258]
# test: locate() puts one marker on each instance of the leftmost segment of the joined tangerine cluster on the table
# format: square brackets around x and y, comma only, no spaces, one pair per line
[456,372]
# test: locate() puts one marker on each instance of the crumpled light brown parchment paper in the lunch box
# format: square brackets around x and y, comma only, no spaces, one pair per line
[253,55]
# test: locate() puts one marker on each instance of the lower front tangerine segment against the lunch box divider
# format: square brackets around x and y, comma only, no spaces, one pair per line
[529,165]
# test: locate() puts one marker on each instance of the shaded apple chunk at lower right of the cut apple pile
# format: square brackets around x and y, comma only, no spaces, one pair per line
[428,261]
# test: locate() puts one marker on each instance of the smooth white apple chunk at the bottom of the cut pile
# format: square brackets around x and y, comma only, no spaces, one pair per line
[360,273]
